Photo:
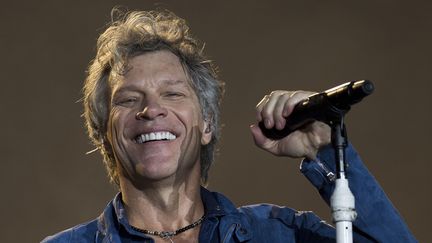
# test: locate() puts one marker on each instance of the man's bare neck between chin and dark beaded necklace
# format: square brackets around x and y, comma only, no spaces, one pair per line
[163,206]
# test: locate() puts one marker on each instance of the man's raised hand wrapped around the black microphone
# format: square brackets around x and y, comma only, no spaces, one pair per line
[273,110]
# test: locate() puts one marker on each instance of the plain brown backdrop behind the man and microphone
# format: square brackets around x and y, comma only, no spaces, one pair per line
[48,183]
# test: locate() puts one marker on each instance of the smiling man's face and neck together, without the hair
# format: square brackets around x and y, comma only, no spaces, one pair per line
[156,130]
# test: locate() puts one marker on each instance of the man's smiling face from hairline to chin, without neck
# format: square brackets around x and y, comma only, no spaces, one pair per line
[163,140]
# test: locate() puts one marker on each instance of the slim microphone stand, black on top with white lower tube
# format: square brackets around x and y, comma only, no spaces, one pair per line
[342,200]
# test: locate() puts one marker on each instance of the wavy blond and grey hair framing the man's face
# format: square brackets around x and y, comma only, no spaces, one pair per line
[131,34]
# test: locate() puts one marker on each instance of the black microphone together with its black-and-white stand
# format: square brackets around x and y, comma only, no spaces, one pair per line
[330,107]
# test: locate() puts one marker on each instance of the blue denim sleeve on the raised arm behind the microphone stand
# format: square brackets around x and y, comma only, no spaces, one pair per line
[377,219]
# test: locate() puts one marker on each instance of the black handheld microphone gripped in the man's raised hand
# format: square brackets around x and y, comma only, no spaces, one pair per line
[327,106]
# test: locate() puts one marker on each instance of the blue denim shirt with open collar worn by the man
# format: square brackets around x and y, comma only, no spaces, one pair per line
[377,220]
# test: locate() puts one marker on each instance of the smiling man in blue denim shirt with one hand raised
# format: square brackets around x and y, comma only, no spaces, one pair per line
[151,104]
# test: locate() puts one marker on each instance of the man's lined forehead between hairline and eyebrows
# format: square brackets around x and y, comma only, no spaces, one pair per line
[155,69]
